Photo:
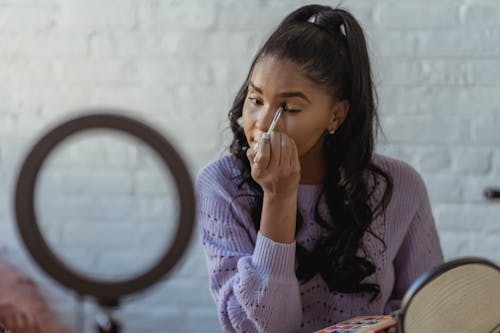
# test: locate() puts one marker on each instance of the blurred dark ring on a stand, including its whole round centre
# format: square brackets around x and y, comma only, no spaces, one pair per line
[105,205]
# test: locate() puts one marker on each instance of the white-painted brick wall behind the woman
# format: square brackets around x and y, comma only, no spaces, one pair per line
[177,65]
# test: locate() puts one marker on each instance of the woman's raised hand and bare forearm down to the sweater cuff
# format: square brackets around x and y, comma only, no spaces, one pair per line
[276,168]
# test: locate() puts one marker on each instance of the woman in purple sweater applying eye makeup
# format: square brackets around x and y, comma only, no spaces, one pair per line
[306,226]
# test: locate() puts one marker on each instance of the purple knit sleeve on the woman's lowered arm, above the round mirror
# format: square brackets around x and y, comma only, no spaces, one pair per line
[420,249]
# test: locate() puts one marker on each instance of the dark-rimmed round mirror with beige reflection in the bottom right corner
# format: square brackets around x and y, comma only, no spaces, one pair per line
[460,296]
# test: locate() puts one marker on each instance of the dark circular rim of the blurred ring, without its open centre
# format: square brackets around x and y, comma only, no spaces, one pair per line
[107,292]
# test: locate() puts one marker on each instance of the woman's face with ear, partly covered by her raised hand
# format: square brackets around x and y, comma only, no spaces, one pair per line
[311,110]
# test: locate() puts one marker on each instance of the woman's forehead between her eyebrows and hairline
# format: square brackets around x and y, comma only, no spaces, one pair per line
[275,74]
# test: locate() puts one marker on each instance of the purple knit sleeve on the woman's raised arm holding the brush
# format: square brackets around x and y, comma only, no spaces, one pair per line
[252,278]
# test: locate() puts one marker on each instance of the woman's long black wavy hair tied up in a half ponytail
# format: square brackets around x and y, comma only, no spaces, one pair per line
[330,47]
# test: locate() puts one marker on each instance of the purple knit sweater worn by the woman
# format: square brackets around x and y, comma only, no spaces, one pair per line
[252,278]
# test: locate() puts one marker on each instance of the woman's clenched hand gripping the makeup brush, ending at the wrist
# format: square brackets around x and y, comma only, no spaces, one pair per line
[275,164]
